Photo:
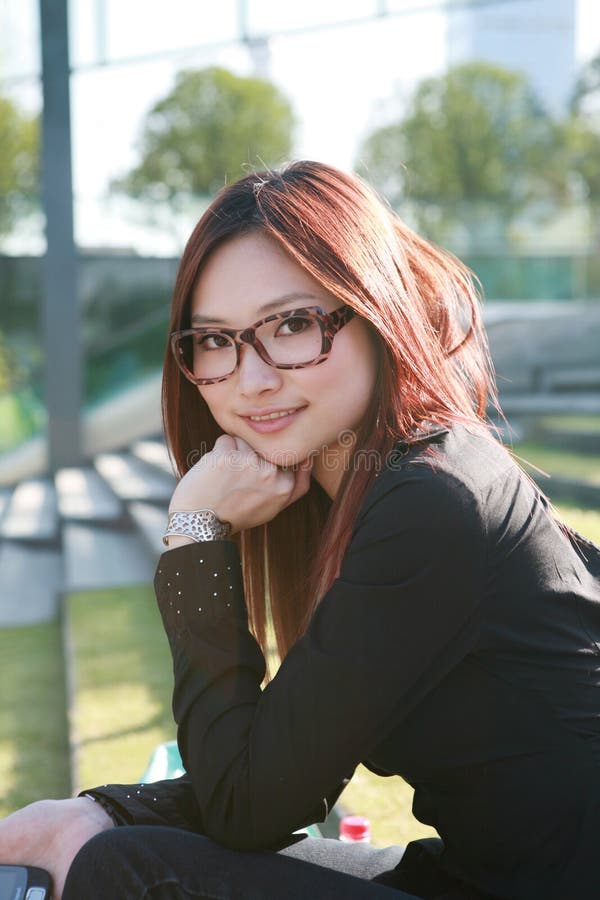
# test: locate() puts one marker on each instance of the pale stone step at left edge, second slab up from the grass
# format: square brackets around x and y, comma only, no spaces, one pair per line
[31,514]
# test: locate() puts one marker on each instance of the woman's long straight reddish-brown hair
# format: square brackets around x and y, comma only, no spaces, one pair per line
[422,306]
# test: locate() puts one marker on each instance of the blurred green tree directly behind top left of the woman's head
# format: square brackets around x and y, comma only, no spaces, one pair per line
[204,131]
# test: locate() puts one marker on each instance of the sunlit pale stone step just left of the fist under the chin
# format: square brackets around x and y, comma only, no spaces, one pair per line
[132,479]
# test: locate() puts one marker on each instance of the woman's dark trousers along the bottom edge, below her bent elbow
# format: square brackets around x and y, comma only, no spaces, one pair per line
[155,863]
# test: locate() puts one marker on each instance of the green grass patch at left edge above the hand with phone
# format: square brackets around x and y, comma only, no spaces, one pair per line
[34,759]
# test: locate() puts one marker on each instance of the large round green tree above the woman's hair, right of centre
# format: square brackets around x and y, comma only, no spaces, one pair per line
[473,149]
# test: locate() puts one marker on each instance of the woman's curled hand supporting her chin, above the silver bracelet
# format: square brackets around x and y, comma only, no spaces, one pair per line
[239,485]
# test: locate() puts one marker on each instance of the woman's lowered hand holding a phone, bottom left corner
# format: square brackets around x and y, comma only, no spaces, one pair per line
[49,834]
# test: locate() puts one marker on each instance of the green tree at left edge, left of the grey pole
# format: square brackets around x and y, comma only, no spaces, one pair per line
[19,163]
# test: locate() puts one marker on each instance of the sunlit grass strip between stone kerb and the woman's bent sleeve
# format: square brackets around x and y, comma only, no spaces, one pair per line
[122,683]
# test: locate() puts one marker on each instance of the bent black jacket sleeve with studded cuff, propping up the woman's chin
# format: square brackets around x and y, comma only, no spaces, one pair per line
[402,613]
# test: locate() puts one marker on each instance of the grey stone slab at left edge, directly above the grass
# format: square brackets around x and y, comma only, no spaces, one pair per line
[30,582]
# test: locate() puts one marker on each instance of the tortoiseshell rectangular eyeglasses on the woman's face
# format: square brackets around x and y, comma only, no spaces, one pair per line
[293,339]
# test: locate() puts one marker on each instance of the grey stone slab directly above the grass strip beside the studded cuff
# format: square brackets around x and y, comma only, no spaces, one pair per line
[100,557]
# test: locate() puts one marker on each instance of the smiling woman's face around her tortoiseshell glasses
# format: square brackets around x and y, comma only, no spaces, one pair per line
[323,403]
